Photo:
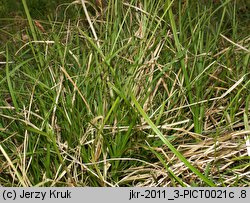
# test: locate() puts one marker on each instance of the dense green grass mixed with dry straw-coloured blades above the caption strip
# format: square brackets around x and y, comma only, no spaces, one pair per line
[140,93]
